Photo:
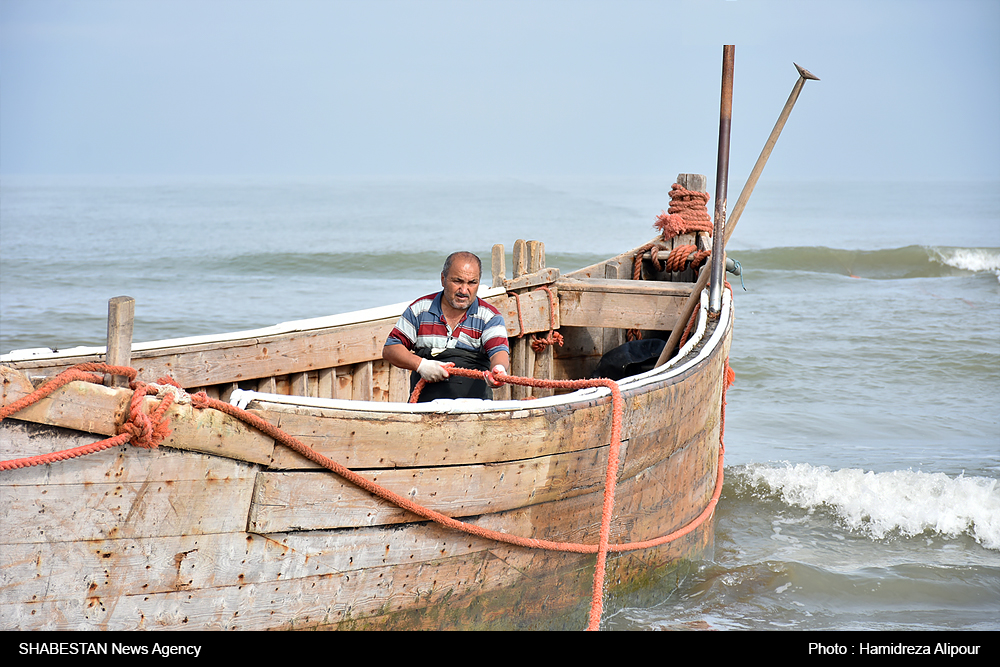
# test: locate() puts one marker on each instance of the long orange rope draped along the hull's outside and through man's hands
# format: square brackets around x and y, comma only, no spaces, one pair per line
[157,431]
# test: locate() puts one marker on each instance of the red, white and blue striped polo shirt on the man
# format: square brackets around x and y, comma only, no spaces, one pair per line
[423,325]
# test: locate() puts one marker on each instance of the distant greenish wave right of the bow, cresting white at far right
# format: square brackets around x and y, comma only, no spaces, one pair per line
[913,261]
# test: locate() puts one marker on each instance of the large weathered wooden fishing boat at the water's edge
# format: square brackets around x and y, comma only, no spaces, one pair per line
[220,527]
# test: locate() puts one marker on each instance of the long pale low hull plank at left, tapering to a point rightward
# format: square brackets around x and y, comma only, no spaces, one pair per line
[197,563]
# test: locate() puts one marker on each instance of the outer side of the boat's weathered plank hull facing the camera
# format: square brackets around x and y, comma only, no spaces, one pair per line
[184,537]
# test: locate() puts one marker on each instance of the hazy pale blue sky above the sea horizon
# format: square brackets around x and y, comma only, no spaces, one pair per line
[910,88]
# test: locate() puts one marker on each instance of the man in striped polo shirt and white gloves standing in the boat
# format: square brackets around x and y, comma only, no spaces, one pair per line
[451,328]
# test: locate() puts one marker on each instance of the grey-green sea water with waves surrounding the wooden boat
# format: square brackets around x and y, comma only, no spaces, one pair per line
[862,434]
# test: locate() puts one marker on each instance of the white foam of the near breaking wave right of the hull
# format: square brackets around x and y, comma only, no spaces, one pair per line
[879,504]
